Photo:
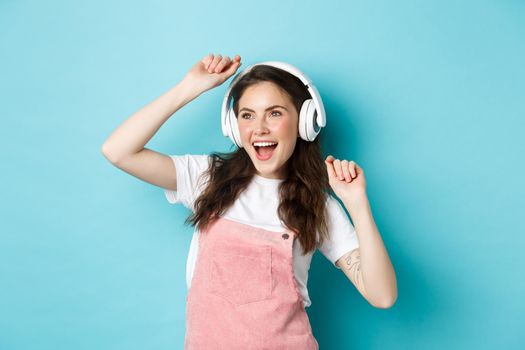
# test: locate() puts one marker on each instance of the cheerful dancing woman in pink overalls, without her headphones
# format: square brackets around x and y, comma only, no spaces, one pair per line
[259,212]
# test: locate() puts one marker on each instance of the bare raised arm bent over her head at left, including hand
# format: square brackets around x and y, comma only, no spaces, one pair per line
[125,147]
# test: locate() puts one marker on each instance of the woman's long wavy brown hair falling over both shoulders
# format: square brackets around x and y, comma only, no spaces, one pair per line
[303,194]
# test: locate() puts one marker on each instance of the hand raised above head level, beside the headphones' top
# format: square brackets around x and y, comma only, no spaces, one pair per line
[211,71]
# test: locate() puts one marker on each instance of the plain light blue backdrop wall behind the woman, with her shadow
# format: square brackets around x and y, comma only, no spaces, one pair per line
[428,97]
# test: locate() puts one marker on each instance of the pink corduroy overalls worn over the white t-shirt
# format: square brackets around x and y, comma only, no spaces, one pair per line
[243,293]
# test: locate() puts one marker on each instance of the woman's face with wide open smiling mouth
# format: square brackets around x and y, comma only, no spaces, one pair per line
[266,113]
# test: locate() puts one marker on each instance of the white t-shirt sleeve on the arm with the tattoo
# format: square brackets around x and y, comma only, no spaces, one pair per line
[342,236]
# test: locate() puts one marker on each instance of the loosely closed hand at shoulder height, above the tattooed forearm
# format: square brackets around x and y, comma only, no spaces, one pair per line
[347,179]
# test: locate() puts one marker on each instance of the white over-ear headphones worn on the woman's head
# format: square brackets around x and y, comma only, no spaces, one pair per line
[312,116]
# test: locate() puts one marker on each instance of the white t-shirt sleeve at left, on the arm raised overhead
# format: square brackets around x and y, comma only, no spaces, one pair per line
[190,183]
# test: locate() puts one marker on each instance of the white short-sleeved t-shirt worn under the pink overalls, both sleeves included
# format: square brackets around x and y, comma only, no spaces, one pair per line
[257,206]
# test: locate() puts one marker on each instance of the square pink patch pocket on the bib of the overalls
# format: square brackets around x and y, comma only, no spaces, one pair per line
[241,273]
